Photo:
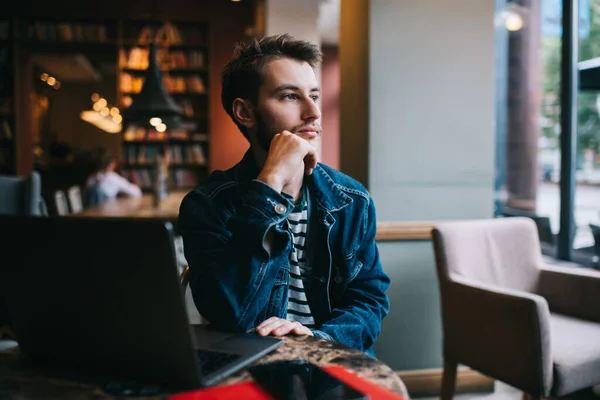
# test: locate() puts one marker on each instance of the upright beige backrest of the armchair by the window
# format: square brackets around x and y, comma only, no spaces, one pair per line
[504,252]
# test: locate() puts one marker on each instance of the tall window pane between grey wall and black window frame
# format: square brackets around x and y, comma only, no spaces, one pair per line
[528,115]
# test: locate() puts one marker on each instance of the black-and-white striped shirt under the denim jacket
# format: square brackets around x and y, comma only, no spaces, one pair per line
[298,308]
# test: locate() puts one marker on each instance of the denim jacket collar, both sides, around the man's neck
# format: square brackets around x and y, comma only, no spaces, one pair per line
[321,185]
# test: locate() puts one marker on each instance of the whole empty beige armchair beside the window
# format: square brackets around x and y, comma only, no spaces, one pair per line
[508,315]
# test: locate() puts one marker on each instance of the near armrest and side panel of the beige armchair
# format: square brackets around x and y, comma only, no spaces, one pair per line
[501,332]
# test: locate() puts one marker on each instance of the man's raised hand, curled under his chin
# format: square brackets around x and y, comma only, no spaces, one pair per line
[288,155]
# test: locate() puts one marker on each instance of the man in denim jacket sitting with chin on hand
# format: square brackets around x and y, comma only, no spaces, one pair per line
[280,242]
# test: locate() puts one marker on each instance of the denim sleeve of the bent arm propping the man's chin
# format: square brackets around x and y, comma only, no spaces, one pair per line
[231,272]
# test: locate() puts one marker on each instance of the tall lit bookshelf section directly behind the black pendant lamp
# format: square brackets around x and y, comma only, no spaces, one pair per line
[182,56]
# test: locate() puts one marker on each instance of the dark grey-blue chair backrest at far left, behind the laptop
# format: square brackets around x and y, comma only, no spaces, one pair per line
[21,196]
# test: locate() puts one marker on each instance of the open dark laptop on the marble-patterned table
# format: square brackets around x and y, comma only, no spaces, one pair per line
[102,294]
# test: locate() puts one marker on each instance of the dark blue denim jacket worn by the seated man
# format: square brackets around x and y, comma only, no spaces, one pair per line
[236,283]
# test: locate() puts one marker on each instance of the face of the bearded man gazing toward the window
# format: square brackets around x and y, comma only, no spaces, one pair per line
[289,99]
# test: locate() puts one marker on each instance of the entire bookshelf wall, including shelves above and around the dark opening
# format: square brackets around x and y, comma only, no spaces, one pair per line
[183,58]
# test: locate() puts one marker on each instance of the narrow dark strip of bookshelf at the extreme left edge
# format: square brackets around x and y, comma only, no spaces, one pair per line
[7,106]
